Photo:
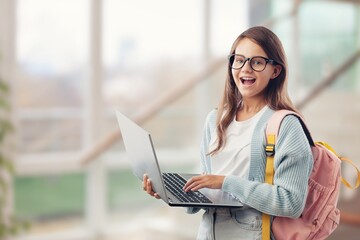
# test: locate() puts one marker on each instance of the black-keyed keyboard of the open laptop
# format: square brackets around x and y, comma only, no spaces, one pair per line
[174,183]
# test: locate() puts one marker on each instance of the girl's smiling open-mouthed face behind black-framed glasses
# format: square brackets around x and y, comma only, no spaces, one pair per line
[251,84]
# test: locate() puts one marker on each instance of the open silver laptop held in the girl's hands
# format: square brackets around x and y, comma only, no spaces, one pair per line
[141,153]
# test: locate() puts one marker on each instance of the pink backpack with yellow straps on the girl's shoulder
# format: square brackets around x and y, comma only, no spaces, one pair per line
[320,216]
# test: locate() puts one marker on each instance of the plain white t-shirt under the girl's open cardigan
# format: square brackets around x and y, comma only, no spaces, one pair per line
[234,158]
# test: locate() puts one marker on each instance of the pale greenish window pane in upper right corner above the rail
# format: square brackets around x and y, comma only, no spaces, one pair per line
[326,46]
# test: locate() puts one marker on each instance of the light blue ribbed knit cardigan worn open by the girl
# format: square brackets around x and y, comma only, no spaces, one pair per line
[293,164]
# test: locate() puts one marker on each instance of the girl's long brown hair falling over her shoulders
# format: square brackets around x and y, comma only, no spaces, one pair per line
[276,95]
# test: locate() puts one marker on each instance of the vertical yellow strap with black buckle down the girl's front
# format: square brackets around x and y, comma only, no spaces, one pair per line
[269,178]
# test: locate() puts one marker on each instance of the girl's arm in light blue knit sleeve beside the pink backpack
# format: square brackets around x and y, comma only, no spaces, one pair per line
[293,164]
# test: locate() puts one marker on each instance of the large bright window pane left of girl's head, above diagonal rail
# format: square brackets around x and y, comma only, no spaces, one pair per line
[148,49]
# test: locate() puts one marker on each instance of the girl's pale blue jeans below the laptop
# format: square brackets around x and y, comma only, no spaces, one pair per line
[227,223]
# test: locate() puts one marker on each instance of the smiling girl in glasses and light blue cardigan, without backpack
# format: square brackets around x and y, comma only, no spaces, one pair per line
[233,148]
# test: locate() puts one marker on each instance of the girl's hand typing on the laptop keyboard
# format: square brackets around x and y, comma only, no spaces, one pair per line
[204,181]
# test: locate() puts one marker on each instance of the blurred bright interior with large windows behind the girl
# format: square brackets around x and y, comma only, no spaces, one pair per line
[69,63]
